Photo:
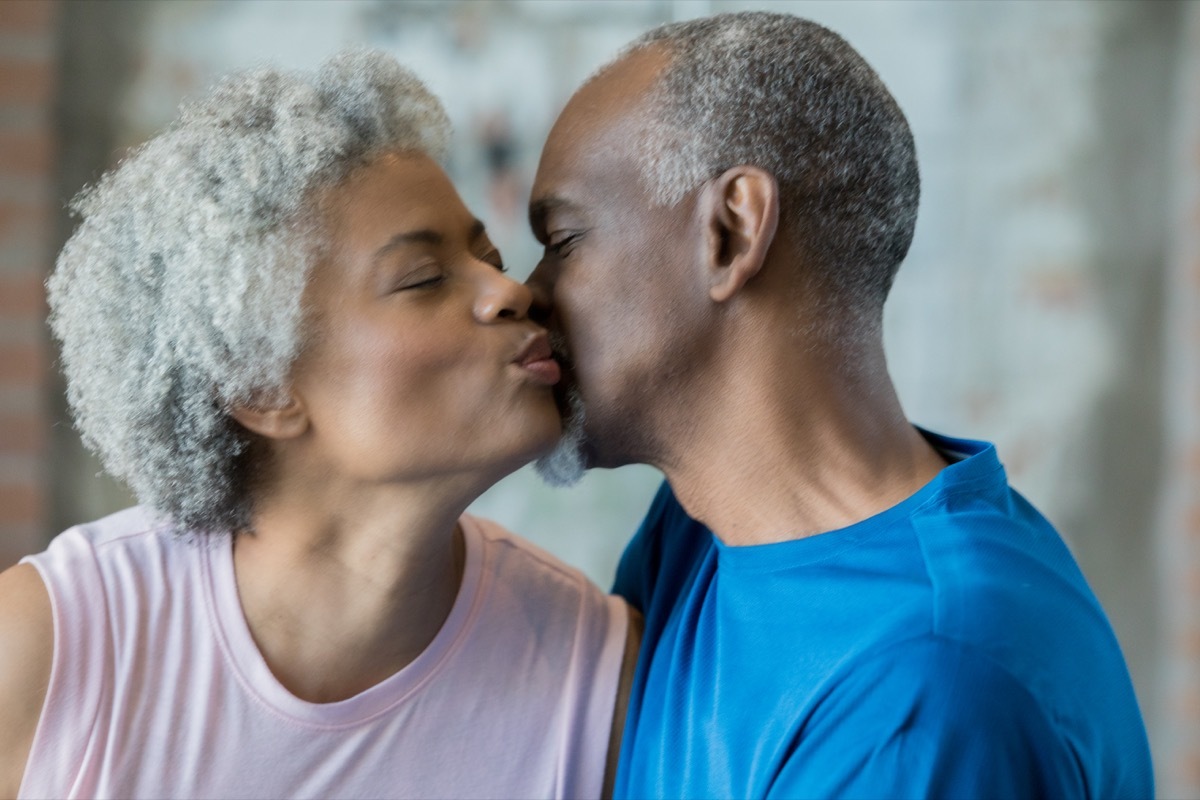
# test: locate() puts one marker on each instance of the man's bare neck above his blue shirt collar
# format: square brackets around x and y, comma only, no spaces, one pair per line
[782,455]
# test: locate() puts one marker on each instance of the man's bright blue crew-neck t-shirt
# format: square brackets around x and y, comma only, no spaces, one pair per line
[949,647]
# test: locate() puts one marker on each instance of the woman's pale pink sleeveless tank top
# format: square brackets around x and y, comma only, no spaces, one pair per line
[159,691]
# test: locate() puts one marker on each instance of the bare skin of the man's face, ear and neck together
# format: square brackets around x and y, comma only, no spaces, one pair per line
[691,328]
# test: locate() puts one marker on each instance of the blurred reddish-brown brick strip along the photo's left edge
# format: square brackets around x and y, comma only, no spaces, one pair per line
[27,199]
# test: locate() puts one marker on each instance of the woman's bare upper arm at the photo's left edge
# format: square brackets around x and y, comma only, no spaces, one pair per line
[27,649]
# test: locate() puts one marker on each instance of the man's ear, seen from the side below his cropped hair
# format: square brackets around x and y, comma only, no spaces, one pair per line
[742,210]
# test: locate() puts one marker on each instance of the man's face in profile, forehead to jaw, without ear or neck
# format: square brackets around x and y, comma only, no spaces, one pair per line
[615,275]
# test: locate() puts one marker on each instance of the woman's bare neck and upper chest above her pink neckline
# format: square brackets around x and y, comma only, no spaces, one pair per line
[343,588]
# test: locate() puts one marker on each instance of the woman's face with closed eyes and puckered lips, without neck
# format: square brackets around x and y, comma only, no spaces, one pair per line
[421,326]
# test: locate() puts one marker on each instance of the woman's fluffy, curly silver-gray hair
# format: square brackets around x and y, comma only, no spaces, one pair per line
[179,293]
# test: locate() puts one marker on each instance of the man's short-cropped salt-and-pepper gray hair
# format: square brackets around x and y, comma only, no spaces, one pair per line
[794,99]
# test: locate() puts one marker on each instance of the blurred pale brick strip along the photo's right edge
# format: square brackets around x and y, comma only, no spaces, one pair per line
[1179,766]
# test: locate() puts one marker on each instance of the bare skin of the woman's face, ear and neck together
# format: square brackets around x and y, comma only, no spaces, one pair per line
[404,408]
